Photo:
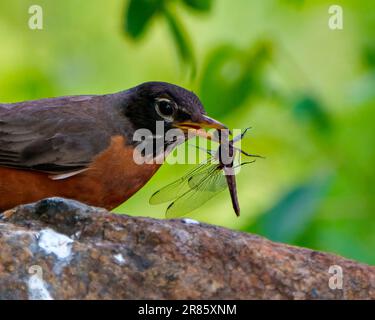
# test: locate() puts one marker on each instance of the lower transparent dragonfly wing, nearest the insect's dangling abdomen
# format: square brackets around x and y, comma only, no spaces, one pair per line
[207,187]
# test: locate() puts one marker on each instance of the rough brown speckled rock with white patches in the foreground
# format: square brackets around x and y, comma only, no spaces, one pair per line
[62,249]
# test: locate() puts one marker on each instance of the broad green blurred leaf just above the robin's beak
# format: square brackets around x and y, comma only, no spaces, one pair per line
[230,76]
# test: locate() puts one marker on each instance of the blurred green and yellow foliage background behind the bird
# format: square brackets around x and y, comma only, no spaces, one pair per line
[307,91]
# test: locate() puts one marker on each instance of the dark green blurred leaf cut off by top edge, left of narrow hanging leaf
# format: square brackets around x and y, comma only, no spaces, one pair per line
[138,15]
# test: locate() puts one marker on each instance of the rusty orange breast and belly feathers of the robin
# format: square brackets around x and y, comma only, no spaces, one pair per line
[111,179]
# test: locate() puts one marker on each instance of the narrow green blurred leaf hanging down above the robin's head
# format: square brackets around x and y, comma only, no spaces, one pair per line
[180,37]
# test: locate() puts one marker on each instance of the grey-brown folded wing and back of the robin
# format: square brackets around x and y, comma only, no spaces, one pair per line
[57,135]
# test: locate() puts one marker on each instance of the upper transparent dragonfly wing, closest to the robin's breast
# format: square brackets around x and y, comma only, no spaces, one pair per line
[180,186]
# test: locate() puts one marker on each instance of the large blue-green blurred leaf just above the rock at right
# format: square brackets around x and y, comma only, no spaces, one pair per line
[292,214]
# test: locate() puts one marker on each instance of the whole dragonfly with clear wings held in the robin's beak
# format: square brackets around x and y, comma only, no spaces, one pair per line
[206,180]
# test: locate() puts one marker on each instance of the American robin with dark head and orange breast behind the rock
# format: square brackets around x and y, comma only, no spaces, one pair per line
[81,147]
